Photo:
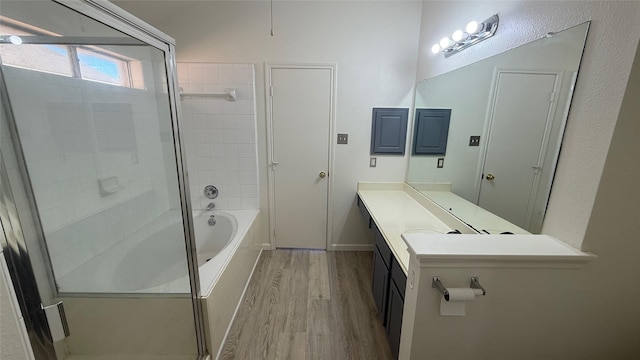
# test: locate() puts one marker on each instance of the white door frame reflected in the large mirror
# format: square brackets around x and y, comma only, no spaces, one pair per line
[544,148]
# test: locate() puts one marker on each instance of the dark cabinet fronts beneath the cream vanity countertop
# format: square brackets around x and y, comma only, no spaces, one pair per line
[387,285]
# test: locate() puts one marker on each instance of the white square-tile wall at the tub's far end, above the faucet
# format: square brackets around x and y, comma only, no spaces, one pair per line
[220,135]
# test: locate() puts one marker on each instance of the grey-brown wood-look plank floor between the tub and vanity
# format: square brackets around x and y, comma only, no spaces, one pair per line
[308,304]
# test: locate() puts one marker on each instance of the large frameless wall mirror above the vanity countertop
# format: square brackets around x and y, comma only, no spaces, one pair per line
[517,103]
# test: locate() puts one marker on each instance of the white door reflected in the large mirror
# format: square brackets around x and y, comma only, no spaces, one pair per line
[522,112]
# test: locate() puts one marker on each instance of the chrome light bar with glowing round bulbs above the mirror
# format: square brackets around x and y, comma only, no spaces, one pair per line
[473,34]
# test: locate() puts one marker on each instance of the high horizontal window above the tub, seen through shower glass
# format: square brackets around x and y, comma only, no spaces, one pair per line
[86,62]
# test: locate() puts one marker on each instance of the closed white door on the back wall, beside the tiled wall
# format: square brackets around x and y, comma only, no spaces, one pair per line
[301,108]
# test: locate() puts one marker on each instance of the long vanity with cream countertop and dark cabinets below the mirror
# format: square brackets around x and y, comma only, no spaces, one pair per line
[390,210]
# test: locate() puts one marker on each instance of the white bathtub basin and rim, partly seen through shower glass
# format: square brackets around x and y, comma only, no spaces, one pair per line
[152,261]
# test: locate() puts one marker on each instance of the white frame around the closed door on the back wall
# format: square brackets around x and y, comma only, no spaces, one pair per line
[268,66]
